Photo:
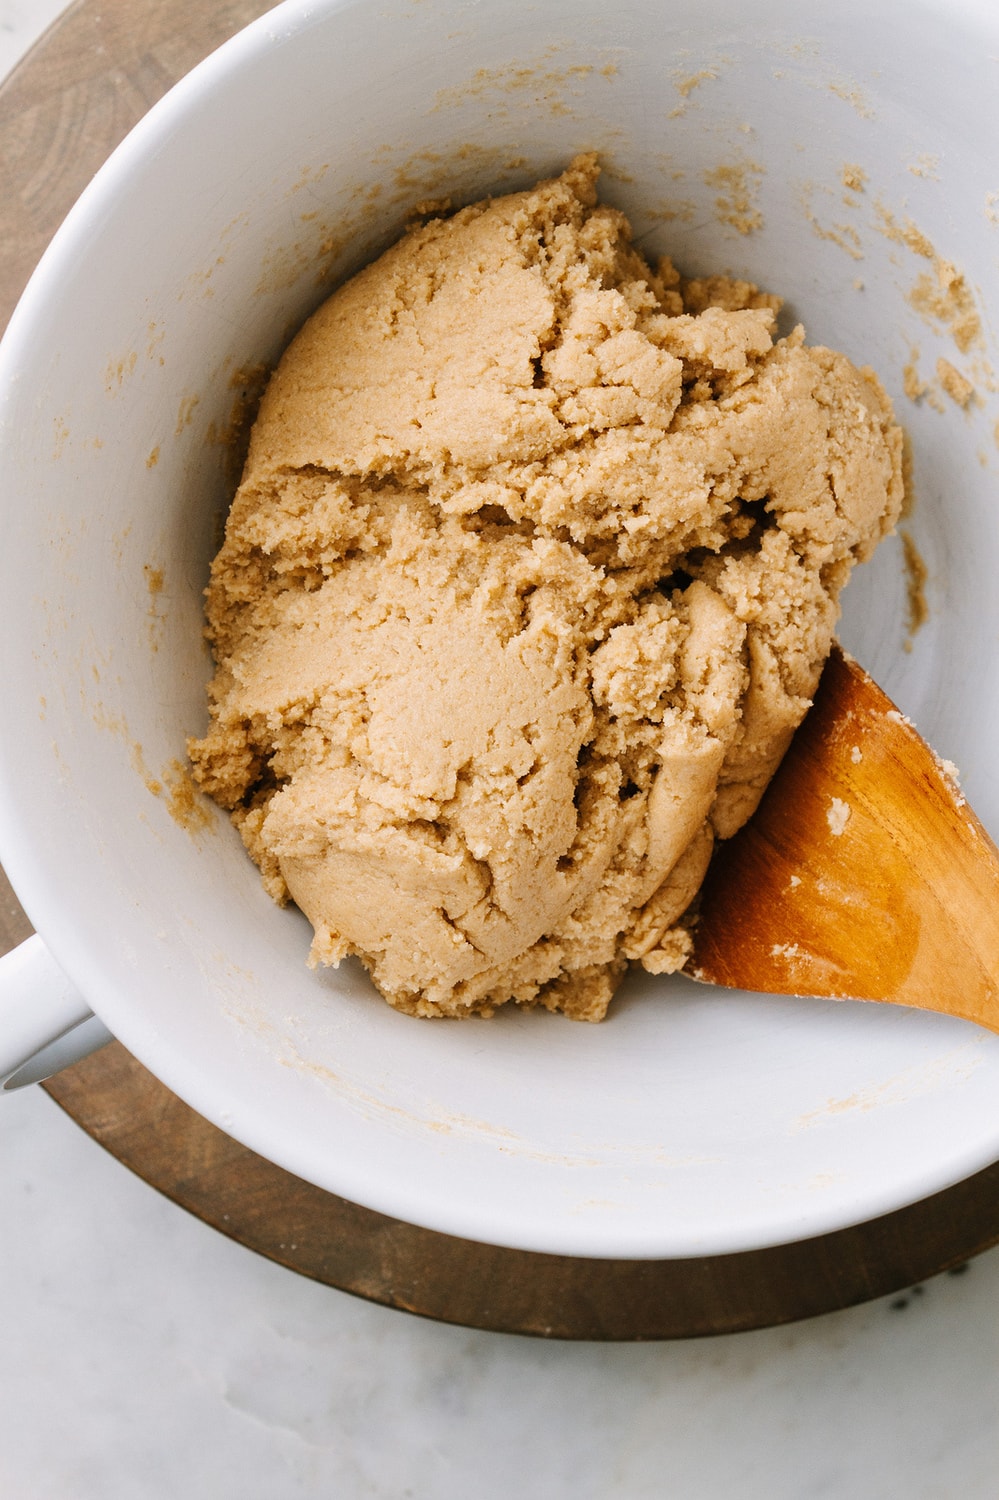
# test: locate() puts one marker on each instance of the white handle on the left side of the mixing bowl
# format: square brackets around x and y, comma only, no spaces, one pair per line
[44,1022]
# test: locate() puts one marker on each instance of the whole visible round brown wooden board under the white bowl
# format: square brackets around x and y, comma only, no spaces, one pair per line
[62,112]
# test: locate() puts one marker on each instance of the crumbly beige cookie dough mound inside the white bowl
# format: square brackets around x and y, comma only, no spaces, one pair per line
[529,581]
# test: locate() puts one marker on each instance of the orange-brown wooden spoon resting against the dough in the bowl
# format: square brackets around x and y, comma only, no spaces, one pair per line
[863,874]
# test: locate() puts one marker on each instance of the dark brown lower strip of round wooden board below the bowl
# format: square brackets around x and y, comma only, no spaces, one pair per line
[482,1286]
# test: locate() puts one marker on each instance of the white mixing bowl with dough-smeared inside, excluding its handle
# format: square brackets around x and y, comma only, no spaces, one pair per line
[832,155]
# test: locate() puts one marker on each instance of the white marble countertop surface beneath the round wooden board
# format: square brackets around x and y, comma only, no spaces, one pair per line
[143,1357]
